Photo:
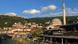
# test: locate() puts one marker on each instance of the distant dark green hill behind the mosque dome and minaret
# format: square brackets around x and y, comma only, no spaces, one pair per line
[70,19]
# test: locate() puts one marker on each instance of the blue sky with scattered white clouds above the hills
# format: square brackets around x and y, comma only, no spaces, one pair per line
[38,8]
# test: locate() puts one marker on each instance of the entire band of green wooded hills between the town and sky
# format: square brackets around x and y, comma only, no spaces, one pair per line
[8,21]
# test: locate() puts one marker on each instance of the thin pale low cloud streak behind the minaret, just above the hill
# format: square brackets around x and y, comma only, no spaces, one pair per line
[69,12]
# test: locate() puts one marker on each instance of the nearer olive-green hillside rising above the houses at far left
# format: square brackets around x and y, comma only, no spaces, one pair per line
[8,21]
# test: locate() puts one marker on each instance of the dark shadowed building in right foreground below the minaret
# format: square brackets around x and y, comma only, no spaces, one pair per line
[69,34]
